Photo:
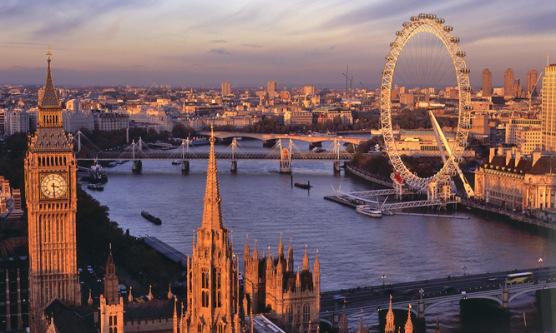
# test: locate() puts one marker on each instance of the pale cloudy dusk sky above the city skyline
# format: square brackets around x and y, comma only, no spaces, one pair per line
[200,43]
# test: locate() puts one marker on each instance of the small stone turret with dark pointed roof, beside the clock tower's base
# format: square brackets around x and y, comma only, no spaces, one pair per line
[111,303]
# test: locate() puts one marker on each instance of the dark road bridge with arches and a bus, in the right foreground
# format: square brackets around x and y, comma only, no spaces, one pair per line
[429,294]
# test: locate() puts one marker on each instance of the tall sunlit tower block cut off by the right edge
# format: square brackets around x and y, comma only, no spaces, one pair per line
[549,108]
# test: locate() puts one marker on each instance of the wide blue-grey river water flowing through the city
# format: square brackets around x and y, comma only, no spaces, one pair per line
[355,250]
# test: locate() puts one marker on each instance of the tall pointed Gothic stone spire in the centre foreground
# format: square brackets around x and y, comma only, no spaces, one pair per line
[213,303]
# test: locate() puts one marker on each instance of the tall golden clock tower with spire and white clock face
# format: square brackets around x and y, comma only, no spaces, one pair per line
[50,187]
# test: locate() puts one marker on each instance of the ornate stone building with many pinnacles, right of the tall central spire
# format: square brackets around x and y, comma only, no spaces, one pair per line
[273,285]
